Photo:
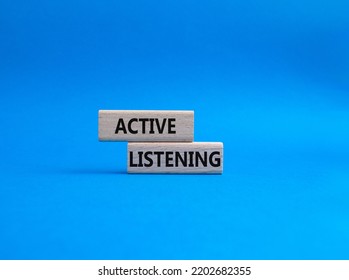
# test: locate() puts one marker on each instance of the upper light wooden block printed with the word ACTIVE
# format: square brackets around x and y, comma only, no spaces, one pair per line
[146,126]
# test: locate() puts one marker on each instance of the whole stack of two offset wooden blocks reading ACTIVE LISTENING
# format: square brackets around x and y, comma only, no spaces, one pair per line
[160,141]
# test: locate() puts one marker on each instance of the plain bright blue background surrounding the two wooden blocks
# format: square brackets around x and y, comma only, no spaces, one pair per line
[270,79]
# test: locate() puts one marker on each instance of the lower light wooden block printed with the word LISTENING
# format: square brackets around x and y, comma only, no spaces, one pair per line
[196,157]
